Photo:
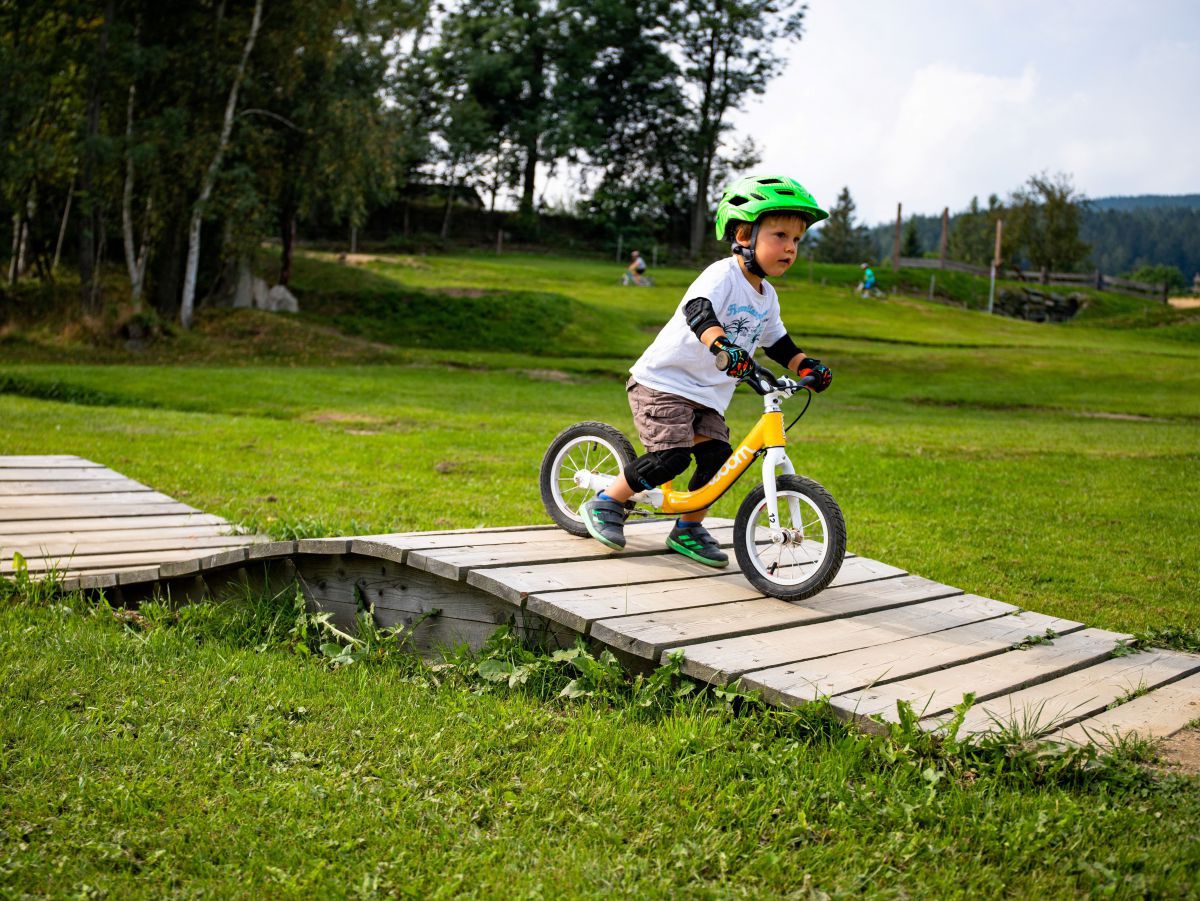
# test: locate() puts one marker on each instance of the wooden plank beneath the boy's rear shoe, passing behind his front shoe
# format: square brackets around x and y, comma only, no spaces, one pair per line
[455,563]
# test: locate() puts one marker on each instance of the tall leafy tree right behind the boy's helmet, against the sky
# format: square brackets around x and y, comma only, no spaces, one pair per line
[730,51]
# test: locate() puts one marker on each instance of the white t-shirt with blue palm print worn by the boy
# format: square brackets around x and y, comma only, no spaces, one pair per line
[679,364]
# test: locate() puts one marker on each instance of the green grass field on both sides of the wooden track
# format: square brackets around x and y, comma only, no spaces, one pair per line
[1053,467]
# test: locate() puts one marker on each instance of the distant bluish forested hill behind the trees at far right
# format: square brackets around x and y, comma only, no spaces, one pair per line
[1125,233]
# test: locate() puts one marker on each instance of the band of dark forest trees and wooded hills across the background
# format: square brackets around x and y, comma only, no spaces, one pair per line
[173,140]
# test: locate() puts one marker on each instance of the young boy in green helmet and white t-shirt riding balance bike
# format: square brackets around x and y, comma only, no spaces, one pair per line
[676,392]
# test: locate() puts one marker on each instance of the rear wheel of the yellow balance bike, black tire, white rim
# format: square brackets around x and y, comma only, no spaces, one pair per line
[560,466]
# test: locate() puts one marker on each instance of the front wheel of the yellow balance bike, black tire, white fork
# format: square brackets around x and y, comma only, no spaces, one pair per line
[799,582]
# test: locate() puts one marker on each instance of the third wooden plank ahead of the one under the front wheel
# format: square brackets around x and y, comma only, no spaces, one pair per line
[805,681]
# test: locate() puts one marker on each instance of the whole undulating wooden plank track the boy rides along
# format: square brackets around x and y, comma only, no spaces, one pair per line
[878,636]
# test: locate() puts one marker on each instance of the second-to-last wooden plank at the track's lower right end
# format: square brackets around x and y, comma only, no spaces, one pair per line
[1071,699]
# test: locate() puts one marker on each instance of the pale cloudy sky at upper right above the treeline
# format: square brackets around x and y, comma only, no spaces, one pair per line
[932,103]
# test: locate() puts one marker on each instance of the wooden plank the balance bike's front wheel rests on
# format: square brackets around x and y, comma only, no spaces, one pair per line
[580,609]
